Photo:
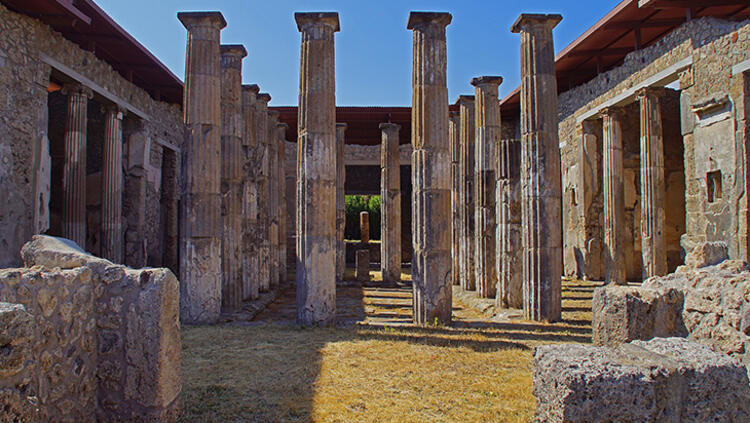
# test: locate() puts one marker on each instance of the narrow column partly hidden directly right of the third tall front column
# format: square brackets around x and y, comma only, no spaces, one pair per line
[453,140]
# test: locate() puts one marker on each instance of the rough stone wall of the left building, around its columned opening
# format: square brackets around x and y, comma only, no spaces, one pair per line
[31,56]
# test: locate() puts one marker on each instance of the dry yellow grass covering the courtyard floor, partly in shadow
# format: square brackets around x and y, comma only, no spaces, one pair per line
[477,371]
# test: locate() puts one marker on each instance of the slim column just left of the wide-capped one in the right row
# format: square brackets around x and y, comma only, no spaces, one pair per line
[466,142]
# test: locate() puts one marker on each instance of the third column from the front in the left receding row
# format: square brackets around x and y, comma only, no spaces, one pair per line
[251,227]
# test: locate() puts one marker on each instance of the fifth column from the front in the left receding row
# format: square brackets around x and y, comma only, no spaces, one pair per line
[274,186]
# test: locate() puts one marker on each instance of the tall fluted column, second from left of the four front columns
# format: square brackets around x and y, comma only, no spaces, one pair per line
[316,167]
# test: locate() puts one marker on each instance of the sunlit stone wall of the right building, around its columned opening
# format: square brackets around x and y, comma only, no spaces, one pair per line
[701,54]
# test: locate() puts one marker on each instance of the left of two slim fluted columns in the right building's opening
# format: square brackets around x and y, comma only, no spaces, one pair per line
[614,198]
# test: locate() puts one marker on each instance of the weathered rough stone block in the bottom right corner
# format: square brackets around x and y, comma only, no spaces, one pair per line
[662,380]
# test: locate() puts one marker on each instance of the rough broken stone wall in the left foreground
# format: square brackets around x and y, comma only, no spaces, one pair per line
[106,342]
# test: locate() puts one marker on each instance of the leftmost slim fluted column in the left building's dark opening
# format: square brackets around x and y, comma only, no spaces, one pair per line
[74,176]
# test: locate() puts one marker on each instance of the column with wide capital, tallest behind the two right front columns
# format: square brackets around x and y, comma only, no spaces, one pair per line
[488,133]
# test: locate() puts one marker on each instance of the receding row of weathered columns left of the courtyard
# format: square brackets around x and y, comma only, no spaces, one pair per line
[234,210]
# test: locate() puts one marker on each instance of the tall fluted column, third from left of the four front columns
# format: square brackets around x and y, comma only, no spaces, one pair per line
[430,171]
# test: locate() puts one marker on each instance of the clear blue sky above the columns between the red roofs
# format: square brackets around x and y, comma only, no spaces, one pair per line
[373,49]
